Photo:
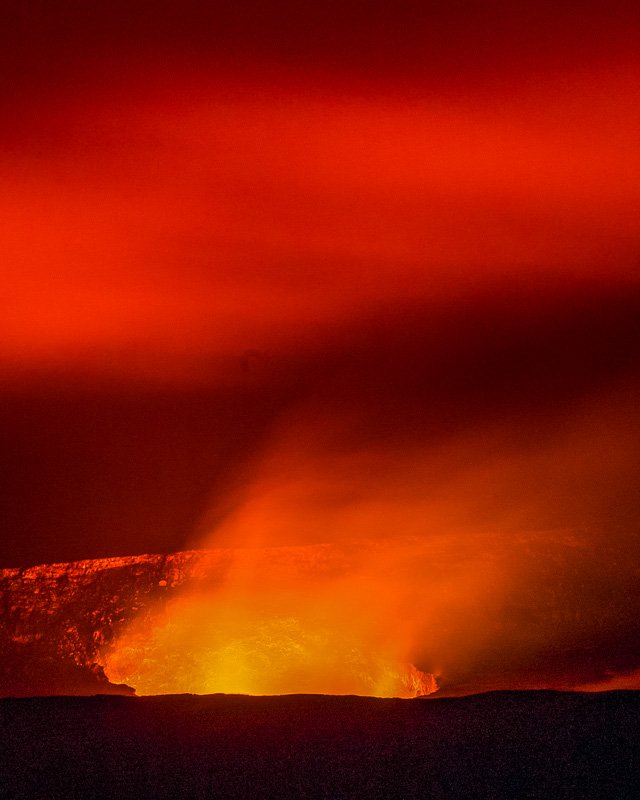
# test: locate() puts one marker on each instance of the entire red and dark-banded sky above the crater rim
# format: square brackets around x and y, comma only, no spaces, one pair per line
[335,236]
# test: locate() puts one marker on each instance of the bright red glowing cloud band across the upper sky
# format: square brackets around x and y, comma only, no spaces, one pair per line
[233,217]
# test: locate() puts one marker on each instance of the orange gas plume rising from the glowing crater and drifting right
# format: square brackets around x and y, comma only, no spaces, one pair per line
[393,569]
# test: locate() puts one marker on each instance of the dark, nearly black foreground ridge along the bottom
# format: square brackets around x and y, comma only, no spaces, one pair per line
[501,744]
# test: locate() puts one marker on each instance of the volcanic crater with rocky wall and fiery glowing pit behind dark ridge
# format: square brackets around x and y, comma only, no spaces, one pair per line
[389,619]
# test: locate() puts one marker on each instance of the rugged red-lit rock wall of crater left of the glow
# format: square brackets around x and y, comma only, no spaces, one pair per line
[56,617]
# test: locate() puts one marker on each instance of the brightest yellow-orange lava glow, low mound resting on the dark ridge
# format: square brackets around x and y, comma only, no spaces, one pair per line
[244,651]
